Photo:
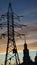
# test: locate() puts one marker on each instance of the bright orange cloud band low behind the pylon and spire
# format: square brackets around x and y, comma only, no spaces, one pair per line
[20,48]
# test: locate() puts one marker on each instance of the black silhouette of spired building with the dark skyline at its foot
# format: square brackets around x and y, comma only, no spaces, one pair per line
[26,58]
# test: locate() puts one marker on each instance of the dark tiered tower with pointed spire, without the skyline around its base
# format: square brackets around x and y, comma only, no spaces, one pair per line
[26,57]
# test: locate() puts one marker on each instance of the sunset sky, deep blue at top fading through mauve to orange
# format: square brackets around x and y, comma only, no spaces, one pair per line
[27,8]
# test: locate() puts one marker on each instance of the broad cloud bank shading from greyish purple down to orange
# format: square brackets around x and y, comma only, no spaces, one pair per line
[31,37]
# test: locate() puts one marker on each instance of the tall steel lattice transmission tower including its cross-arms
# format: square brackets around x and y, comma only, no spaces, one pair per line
[11,33]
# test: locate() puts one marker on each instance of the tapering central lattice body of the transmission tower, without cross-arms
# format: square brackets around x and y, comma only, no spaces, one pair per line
[11,51]
